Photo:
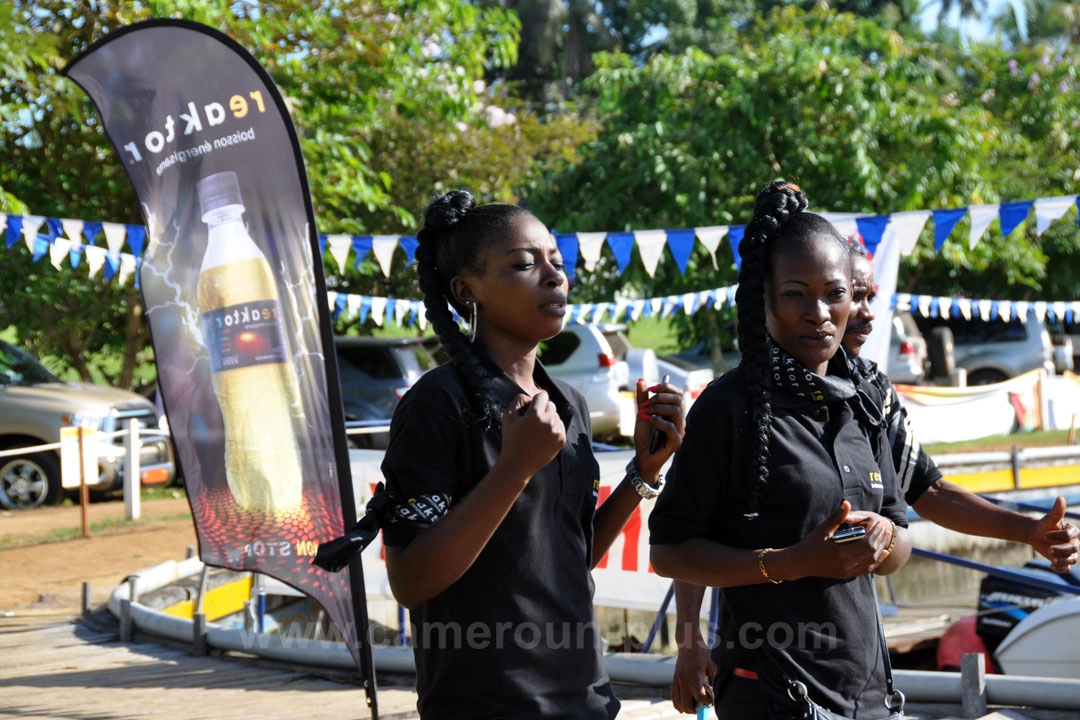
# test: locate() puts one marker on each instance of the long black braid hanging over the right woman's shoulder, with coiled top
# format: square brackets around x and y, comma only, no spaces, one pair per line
[773,209]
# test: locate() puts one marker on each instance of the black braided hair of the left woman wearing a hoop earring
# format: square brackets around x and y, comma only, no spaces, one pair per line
[456,232]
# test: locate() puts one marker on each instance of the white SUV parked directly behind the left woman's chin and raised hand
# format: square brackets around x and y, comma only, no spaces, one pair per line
[583,357]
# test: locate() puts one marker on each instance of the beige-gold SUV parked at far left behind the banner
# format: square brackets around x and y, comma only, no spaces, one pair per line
[35,405]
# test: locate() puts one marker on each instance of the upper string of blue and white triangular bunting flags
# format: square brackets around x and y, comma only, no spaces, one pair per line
[42,235]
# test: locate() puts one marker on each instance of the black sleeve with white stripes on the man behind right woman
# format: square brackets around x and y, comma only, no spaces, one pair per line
[916,471]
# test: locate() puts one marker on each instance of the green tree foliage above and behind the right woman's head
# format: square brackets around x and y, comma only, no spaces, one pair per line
[866,120]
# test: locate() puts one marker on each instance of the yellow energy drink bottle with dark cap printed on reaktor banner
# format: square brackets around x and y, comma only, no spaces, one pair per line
[252,370]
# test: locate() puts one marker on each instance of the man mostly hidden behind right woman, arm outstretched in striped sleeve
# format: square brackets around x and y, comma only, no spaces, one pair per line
[933,497]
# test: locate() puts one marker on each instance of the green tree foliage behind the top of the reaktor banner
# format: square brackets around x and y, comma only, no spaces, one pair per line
[388,100]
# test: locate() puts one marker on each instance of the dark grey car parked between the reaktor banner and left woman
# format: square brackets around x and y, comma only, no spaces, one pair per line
[376,373]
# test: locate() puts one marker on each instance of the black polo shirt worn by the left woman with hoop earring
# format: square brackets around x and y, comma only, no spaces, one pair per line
[517,636]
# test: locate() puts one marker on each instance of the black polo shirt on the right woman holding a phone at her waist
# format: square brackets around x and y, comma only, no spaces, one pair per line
[816,630]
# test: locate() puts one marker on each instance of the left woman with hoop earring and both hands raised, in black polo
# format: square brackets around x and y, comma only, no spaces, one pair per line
[493,550]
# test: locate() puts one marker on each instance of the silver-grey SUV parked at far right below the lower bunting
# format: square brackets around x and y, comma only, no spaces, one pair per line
[994,351]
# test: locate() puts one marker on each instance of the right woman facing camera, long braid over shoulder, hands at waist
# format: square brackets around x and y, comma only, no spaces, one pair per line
[780,456]
